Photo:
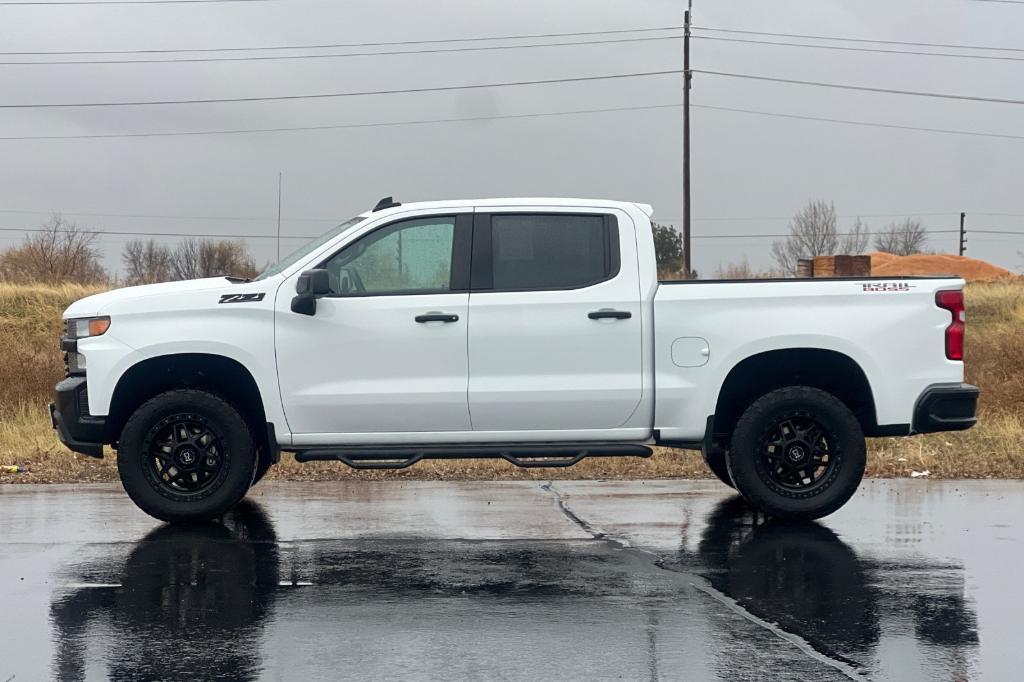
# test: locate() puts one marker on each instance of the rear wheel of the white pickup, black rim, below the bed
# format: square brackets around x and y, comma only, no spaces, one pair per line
[797,453]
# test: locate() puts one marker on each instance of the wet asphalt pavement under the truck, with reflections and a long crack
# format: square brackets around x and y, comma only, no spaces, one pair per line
[578,580]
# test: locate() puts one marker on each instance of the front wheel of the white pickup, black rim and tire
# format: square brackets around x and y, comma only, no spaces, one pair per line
[187,456]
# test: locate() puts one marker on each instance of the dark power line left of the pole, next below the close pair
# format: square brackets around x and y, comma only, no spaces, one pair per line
[357,94]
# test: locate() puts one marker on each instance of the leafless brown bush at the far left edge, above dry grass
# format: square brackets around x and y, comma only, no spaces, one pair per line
[59,253]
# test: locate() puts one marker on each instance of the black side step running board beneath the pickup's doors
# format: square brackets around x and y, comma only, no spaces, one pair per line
[527,456]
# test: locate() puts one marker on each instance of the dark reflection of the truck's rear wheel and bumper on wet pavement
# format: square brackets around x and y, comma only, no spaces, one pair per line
[808,582]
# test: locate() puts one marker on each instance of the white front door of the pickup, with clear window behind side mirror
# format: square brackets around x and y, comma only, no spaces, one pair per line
[387,352]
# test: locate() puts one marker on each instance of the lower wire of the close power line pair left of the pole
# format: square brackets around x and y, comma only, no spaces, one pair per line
[333,56]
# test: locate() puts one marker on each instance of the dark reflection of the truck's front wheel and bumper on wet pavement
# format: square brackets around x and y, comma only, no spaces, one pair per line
[188,603]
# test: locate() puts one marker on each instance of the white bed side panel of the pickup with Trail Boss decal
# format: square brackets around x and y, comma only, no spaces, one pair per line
[890,327]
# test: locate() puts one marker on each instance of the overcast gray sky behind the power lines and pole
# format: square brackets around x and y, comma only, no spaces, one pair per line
[750,172]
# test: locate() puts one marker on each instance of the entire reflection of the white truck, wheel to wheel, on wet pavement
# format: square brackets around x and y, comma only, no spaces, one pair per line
[199,603]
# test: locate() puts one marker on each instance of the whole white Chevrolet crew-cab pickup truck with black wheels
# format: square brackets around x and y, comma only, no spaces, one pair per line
[531,330]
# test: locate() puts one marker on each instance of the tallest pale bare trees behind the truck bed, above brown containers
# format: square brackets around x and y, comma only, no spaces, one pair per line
[814,232]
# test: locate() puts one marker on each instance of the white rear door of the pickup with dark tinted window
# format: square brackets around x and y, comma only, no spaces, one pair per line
[554,321]
